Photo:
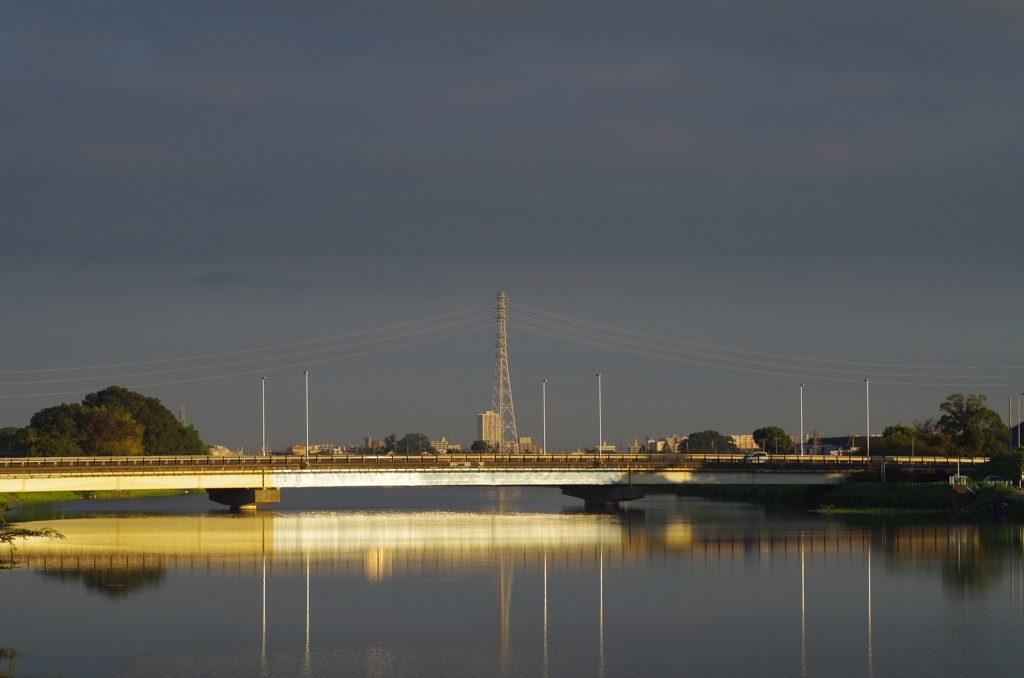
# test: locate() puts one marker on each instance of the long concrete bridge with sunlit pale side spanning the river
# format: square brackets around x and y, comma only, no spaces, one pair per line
[244,483]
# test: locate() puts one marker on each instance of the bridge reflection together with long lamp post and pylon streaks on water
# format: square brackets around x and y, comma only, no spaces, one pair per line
[118,555]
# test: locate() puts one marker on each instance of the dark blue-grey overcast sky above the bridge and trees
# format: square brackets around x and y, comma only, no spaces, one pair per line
[200,194]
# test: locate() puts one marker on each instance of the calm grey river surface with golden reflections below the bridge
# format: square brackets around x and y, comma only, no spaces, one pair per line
[467,582]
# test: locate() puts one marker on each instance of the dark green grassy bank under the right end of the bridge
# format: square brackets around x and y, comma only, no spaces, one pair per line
[857,496]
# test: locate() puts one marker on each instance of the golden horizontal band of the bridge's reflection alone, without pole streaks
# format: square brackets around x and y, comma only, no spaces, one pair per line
[380,546]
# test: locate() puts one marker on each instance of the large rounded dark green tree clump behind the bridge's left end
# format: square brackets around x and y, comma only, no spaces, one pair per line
[114,422]
